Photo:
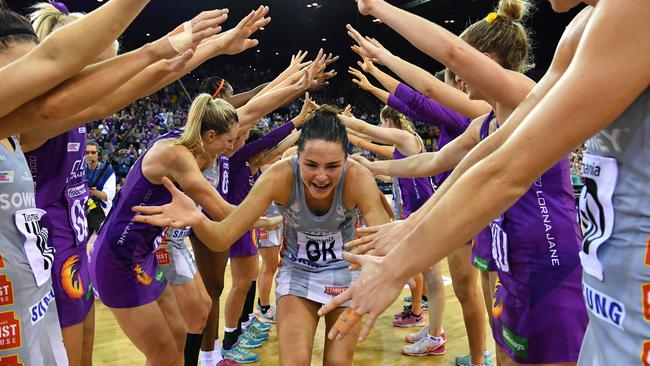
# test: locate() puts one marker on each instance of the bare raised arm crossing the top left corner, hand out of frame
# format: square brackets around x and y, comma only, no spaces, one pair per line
[65,52]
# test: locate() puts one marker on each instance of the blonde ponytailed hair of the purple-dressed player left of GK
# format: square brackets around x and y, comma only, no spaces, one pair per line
[206,114]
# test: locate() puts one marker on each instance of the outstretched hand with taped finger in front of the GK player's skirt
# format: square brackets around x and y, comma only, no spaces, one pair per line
[372,293]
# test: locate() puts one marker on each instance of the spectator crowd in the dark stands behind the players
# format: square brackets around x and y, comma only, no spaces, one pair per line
[125,136]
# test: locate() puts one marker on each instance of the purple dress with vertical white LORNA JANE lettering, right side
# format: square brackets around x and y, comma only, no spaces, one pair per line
[538,315]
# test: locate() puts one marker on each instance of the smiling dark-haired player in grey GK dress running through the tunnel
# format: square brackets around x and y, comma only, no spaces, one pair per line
[318,192]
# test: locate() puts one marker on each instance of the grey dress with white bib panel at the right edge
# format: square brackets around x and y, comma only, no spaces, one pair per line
[615,213]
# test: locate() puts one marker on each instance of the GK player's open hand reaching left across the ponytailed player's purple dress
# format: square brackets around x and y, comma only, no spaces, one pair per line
[179,213]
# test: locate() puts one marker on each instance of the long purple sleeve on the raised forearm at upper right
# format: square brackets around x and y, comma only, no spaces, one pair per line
[429,111]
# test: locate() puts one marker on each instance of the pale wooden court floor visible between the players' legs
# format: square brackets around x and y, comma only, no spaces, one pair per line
[383,347]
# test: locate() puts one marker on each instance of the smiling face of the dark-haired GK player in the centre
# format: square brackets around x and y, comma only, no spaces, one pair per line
[321,166]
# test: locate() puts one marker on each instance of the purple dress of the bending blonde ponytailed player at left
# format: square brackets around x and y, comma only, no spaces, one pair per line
[123,264]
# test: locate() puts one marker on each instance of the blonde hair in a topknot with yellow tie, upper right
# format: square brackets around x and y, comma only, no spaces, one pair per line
[504,35]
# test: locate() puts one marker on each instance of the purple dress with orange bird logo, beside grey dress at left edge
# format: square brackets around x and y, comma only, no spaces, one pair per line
[57,167]
